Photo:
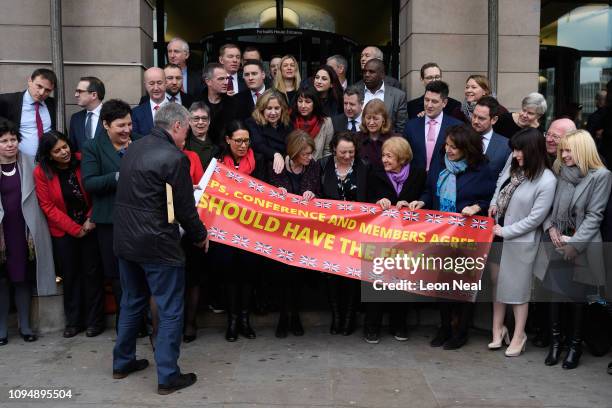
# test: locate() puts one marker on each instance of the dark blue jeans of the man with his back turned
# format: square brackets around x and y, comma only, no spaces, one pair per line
[167,286]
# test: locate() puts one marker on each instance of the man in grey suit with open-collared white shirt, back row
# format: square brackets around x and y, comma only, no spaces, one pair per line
[394,98]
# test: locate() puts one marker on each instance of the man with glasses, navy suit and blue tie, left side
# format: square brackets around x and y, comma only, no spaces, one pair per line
[86,124]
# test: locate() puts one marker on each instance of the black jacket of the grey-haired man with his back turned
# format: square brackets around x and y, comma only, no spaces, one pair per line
[142,233]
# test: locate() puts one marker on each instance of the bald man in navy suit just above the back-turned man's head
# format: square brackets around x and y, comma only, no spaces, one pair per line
[142,115]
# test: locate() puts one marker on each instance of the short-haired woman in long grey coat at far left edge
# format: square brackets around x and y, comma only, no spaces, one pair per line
[26,257]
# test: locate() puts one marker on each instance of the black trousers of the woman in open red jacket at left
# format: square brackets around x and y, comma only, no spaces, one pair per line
[79,262]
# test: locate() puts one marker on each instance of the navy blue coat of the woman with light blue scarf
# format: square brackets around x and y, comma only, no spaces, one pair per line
[474,186]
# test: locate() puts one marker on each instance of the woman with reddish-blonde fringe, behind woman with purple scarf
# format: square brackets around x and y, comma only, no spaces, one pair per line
[374,130]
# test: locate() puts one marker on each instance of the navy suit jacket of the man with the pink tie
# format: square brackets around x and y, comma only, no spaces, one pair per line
[415,133]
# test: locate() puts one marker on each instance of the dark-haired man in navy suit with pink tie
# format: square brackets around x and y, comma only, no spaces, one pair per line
[426,134]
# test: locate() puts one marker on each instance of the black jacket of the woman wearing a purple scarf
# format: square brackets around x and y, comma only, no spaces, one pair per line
[379,186]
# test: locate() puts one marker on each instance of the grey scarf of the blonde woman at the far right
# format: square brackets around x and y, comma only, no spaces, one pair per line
[562,219]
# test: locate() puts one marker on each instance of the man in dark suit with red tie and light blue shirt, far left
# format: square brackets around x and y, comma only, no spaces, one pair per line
[33,110]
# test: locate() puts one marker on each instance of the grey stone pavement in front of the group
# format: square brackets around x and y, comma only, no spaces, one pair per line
[316,370]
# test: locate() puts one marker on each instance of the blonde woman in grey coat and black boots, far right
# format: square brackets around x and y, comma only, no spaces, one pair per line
[572,267]
